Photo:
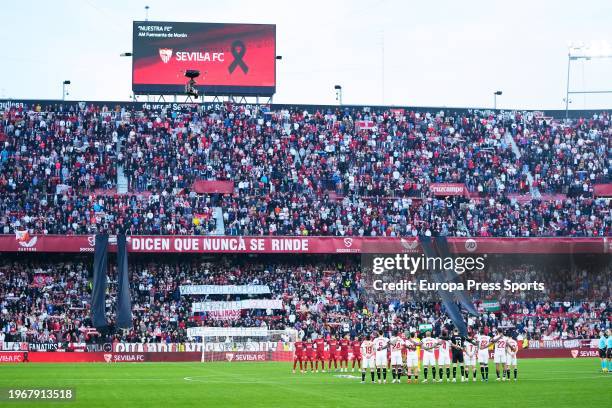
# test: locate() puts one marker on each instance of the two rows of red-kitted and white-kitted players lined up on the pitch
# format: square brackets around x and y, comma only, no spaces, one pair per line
[400,354]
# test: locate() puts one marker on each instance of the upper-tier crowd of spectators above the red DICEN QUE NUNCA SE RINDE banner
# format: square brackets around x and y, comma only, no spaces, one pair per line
[343,172]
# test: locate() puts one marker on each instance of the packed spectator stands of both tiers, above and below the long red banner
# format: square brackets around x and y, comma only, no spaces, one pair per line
[80,169]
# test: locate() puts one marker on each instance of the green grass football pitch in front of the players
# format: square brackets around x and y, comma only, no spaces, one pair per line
[542,383]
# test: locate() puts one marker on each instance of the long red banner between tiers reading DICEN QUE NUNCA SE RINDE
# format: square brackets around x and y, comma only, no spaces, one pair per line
[306,245]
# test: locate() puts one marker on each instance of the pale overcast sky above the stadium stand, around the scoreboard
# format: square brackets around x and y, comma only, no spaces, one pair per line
[392,52]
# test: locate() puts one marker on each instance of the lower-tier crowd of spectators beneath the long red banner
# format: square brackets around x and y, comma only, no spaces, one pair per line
[43,301]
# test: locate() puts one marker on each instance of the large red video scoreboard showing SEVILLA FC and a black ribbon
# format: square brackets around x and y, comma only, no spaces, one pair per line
[233,59]
